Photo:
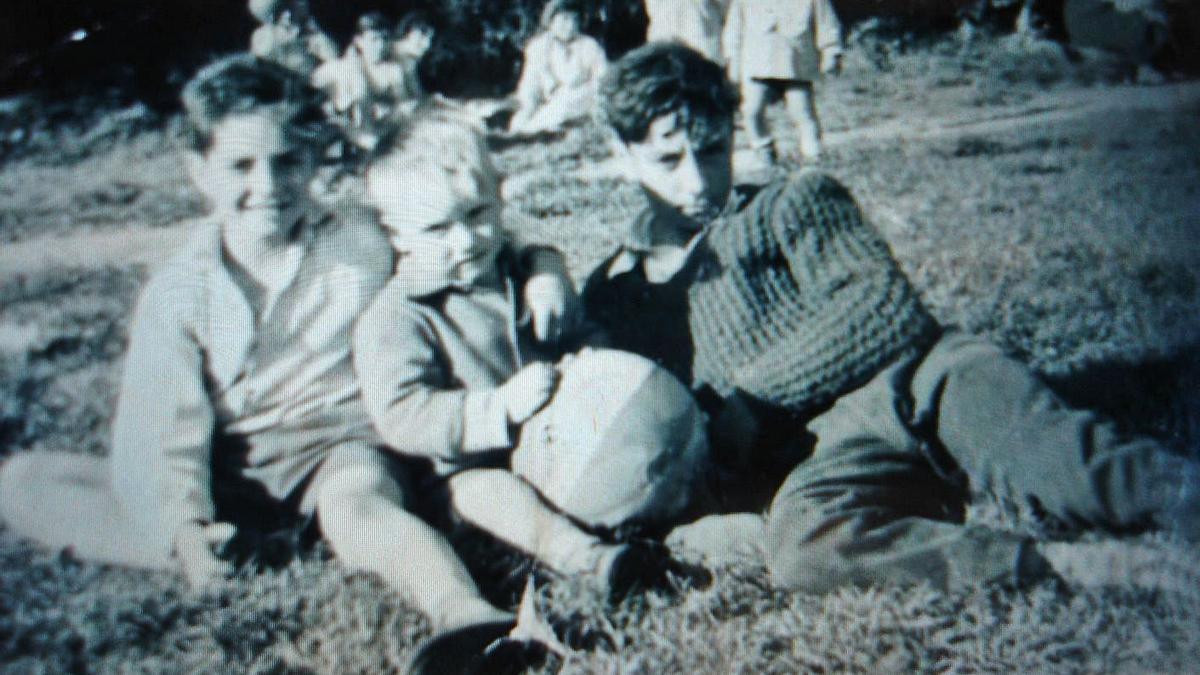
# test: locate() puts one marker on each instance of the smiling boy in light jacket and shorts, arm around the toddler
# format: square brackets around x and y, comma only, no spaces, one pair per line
[239,407]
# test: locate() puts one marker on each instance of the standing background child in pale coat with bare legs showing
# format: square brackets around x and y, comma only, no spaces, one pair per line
[784,47]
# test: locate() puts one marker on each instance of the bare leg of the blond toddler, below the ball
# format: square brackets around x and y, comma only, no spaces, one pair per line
[509,509]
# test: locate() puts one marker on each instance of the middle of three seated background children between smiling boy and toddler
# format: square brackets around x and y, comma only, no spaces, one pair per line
[365,85]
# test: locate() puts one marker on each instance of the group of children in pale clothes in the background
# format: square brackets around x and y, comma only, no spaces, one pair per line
[769,49]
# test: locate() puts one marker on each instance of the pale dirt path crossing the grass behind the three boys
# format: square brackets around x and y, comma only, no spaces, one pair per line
[142,246]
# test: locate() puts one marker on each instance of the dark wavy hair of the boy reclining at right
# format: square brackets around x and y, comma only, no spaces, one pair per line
[668,77]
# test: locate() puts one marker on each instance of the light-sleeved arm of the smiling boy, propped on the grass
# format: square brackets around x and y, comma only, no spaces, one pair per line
[163,432]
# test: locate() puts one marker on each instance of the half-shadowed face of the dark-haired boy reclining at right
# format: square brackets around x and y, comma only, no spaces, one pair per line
[687,183]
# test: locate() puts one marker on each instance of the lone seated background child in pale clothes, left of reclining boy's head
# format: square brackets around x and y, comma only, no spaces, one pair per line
[561,73]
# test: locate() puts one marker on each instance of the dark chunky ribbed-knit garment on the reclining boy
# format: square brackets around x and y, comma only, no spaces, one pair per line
[803,301]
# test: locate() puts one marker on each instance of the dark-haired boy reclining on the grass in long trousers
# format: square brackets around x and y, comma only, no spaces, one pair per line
[820,368]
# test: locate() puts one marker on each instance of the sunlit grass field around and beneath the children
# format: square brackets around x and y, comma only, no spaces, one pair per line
[1073,243]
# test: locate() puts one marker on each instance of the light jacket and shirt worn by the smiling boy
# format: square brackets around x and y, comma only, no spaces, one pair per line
[200,362]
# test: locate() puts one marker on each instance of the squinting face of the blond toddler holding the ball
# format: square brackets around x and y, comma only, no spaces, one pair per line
[445,224]
